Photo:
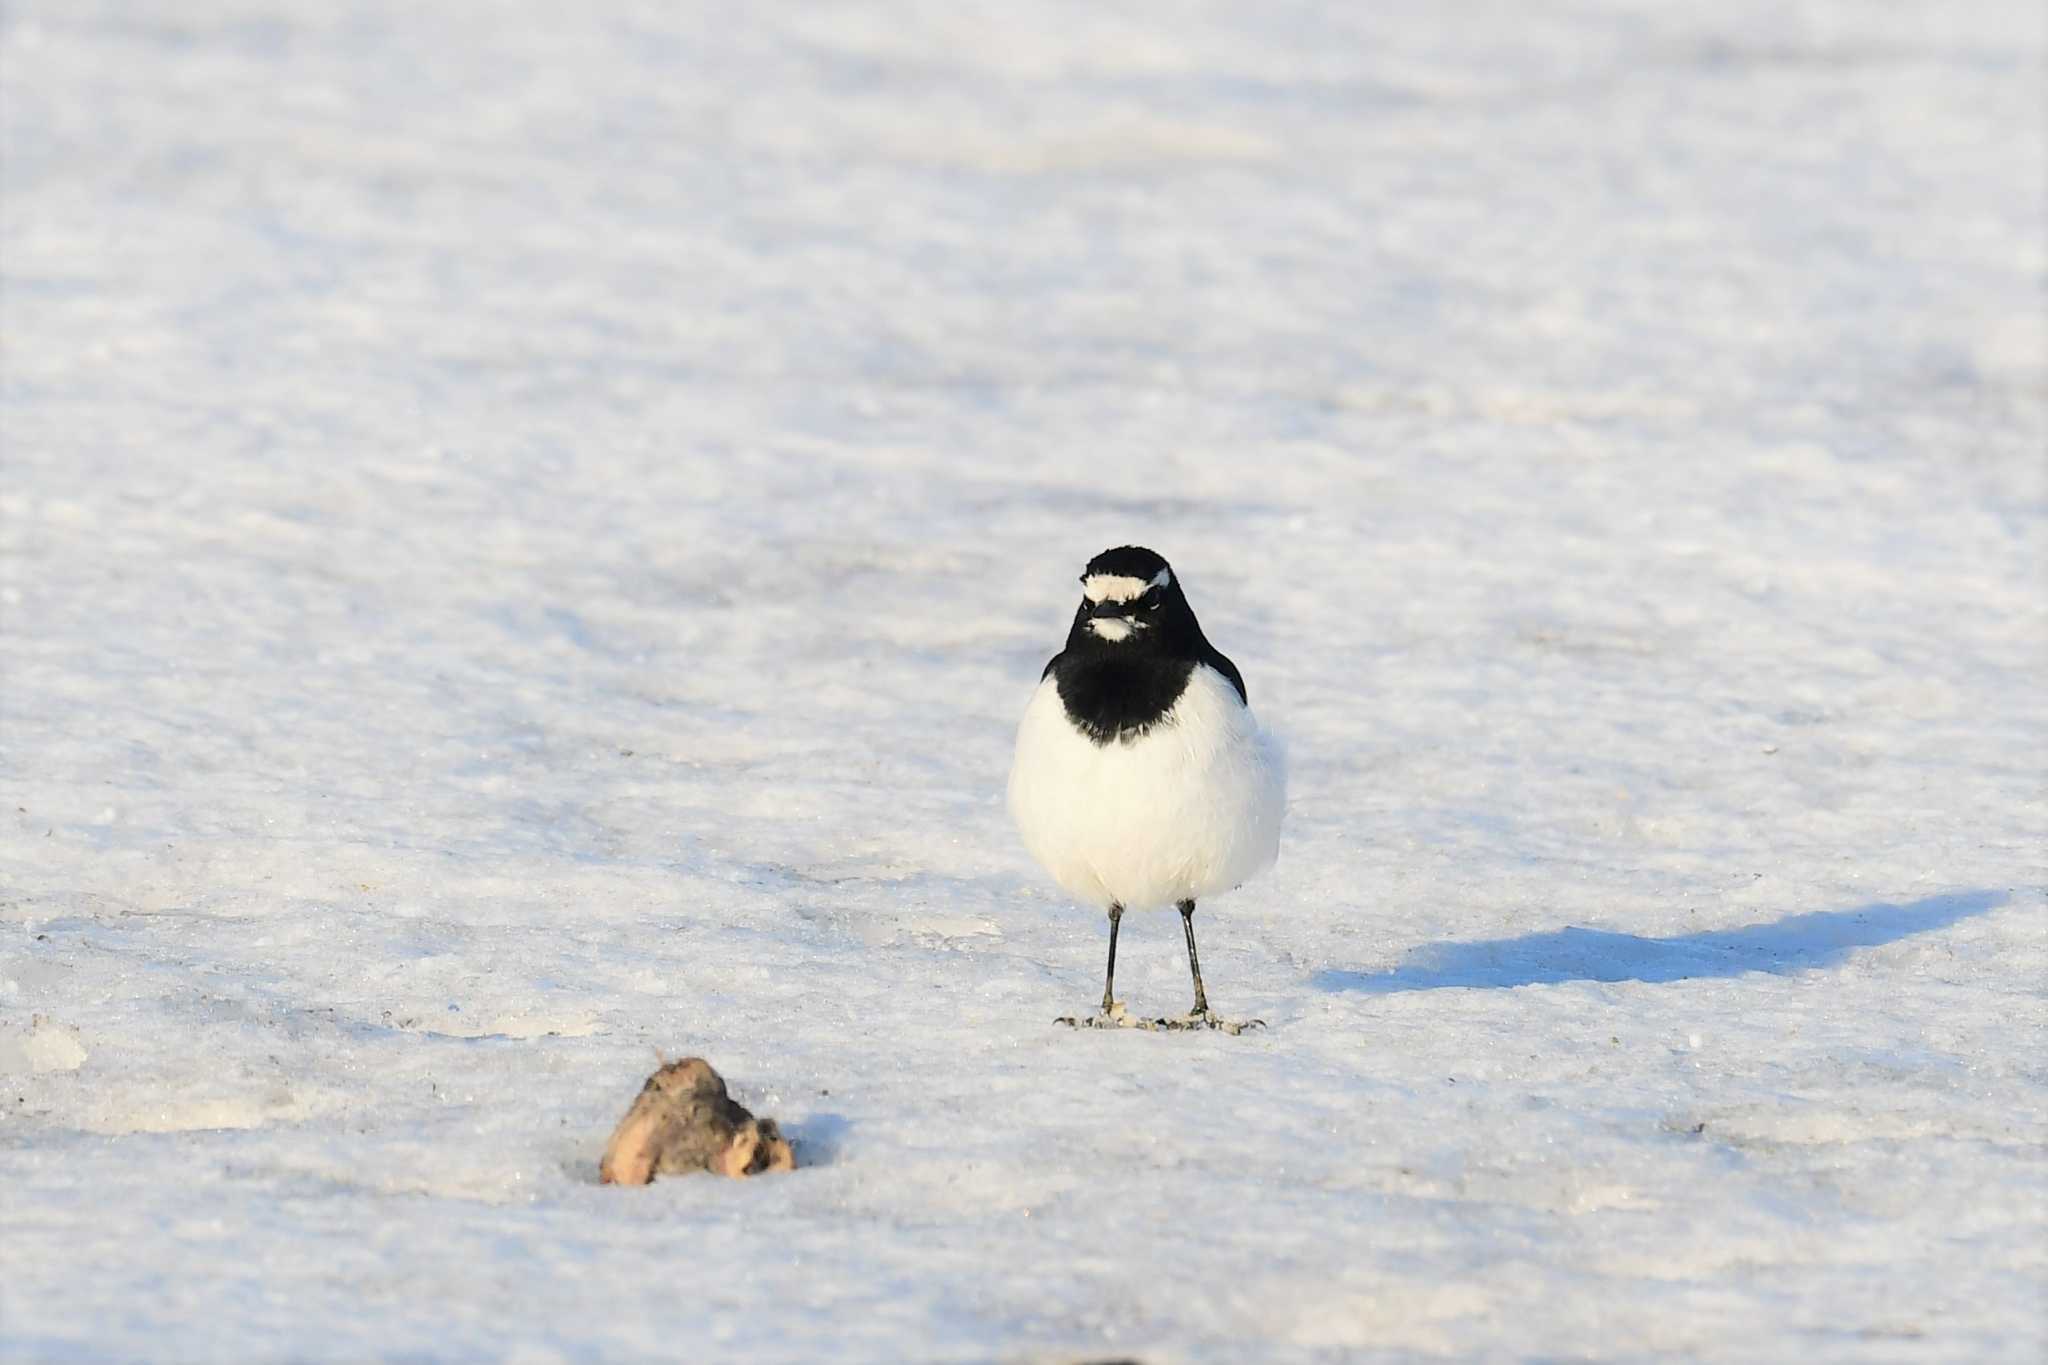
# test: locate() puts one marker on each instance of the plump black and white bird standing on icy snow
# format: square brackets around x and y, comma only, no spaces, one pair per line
[1142,781]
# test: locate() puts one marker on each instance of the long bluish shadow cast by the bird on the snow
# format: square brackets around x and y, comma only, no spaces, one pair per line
[1793,944]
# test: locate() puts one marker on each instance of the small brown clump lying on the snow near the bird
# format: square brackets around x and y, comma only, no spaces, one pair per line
[683,1120]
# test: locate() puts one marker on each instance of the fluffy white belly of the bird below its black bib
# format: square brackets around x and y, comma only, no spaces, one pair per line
[1185,811]
